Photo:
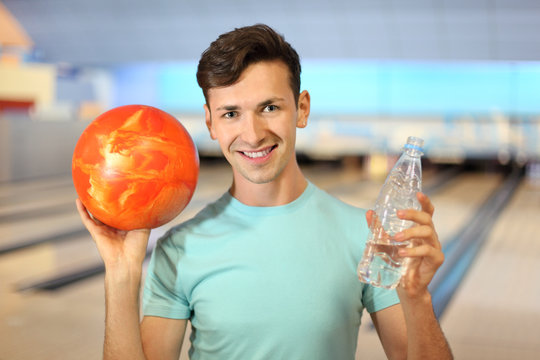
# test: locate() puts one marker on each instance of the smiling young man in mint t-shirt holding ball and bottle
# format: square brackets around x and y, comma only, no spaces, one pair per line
[268,271]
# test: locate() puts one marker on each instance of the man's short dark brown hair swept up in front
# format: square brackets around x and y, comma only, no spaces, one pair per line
[228,56]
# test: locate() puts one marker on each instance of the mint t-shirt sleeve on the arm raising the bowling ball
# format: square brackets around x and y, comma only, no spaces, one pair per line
[163,295]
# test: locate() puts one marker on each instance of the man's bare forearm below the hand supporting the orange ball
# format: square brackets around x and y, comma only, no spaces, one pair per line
[122,329]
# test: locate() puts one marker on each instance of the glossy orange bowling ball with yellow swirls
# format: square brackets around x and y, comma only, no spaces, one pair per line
[135,167]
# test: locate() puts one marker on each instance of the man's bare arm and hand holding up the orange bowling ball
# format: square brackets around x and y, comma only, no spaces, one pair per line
[123,253]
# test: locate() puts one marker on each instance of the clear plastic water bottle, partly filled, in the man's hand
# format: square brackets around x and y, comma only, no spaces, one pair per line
[381,265]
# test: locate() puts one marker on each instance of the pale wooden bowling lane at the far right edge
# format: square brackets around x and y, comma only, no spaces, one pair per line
[495,313]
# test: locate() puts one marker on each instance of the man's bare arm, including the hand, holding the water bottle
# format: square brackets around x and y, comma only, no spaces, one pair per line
[410,330]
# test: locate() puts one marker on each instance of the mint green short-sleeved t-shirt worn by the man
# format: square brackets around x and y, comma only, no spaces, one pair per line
[266,282]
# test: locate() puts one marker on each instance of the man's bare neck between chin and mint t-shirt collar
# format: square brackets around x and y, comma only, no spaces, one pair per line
[287,187]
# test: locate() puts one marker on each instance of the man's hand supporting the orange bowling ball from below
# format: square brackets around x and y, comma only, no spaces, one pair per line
[116,247]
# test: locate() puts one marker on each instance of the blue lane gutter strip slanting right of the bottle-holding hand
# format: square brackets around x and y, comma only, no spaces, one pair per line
[461,250]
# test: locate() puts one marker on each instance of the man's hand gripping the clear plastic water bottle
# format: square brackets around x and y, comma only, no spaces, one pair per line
[425,255]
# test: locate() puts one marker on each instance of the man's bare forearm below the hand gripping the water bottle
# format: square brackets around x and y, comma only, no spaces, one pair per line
[425,337]
